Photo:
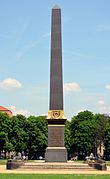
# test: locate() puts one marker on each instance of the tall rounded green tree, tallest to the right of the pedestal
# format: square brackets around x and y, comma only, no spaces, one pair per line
[82,130]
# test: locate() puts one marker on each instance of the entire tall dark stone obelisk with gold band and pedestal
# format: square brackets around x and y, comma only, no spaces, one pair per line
[56,151]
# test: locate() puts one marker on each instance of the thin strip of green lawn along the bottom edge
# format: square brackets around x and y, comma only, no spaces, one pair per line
[41,176]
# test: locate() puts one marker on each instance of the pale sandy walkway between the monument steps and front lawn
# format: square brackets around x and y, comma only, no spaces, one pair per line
[28,171]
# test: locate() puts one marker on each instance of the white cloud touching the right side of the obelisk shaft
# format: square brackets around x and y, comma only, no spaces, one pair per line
[72,87]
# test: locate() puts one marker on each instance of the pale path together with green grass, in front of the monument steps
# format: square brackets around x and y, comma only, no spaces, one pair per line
[52,174]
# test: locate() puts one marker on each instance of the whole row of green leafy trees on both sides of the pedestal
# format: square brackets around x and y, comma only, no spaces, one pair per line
[83,134]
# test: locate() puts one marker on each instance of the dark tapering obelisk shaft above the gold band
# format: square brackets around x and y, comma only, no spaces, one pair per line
[56,83]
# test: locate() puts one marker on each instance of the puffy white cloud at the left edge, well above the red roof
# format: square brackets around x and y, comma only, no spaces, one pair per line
[10,83]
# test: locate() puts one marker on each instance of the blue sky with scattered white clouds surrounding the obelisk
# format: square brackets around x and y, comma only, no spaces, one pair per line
[25,55]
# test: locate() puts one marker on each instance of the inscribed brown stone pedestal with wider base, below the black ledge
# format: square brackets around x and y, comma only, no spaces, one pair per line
[56,152]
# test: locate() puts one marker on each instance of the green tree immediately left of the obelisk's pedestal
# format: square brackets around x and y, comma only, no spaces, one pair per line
[36,129]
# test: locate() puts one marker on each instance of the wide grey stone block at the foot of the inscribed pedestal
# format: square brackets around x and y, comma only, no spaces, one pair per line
[56,154]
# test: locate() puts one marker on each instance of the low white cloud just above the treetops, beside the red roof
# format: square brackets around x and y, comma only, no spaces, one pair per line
[15,111]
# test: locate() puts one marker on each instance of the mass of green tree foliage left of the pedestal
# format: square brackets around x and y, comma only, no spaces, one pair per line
[21,134]
